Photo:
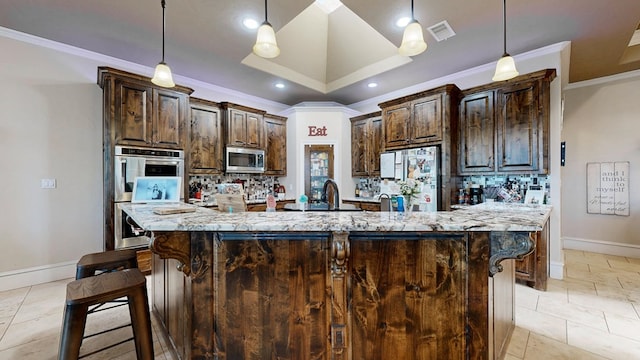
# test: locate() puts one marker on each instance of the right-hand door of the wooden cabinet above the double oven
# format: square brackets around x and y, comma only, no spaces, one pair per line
[167,127]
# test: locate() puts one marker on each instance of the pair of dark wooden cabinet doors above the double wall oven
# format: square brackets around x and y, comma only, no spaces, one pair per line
[148,116]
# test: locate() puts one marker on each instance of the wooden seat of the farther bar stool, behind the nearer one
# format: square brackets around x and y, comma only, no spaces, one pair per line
[93,264]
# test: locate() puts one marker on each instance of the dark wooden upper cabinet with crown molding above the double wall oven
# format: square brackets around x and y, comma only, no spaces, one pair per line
[141,114]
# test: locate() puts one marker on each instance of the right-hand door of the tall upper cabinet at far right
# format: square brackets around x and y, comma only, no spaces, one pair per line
[518,128]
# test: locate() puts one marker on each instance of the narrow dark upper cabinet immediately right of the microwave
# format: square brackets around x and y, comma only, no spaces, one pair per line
[275,128]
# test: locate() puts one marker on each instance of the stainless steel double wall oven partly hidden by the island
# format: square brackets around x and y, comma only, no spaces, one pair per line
[131,162]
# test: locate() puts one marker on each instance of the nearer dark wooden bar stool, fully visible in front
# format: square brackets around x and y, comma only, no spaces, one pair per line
[92,290]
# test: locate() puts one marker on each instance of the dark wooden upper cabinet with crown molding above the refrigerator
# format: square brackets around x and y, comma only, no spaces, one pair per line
[417,119]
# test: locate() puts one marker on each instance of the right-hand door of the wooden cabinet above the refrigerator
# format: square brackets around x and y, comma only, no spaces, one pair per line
[427,120]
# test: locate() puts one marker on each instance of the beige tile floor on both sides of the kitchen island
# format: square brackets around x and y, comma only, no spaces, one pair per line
[594,313]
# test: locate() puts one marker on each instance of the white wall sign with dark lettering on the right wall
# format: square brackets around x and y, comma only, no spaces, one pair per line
[608,188]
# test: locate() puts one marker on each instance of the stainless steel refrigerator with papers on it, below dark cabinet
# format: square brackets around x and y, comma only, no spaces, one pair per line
[420,164]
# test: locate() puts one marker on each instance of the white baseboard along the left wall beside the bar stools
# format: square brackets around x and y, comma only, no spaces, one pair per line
[37,275]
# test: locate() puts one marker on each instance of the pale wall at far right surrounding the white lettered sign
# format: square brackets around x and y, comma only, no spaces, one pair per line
[601,124]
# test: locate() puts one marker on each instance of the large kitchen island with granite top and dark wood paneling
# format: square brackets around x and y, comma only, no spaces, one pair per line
[338,285]
